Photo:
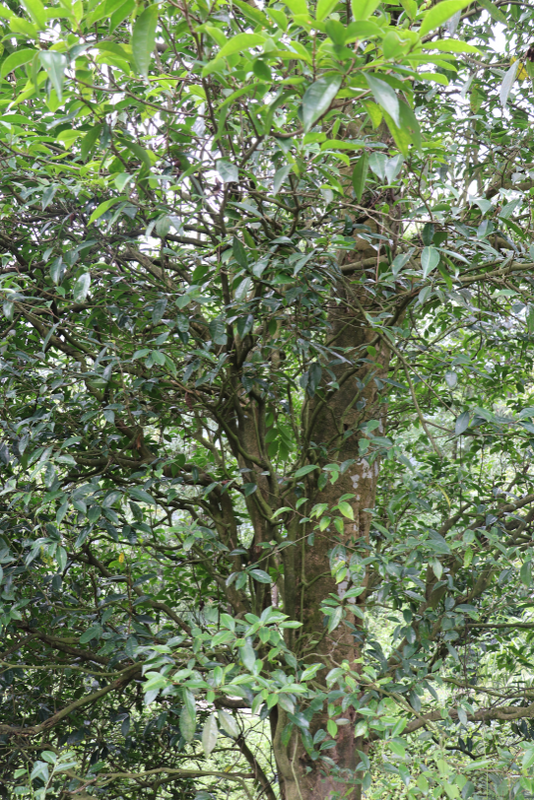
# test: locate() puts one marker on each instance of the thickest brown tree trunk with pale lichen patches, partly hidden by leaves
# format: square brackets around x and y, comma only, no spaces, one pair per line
[335,432]
